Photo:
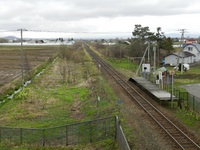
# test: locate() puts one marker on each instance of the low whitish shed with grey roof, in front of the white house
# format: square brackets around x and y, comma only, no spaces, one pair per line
[172,59]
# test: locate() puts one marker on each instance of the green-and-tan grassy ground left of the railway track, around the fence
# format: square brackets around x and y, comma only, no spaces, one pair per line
[49,101]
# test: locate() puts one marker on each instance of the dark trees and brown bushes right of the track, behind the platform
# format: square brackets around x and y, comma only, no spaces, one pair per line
[135,46]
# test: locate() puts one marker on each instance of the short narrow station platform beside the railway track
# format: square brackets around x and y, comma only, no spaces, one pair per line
[151,89]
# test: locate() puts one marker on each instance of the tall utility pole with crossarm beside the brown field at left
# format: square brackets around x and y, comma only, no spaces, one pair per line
[22,55]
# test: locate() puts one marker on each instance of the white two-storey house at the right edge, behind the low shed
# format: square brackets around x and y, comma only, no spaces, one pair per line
[193,48]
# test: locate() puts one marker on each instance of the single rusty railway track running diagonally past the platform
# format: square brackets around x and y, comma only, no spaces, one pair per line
[179,139]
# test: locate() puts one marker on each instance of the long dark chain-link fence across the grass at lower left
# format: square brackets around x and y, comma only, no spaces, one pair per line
[86,132]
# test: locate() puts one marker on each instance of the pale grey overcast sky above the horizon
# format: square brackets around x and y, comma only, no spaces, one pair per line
[81,17]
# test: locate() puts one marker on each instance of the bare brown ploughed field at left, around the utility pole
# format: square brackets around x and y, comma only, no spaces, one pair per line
[11,62]
